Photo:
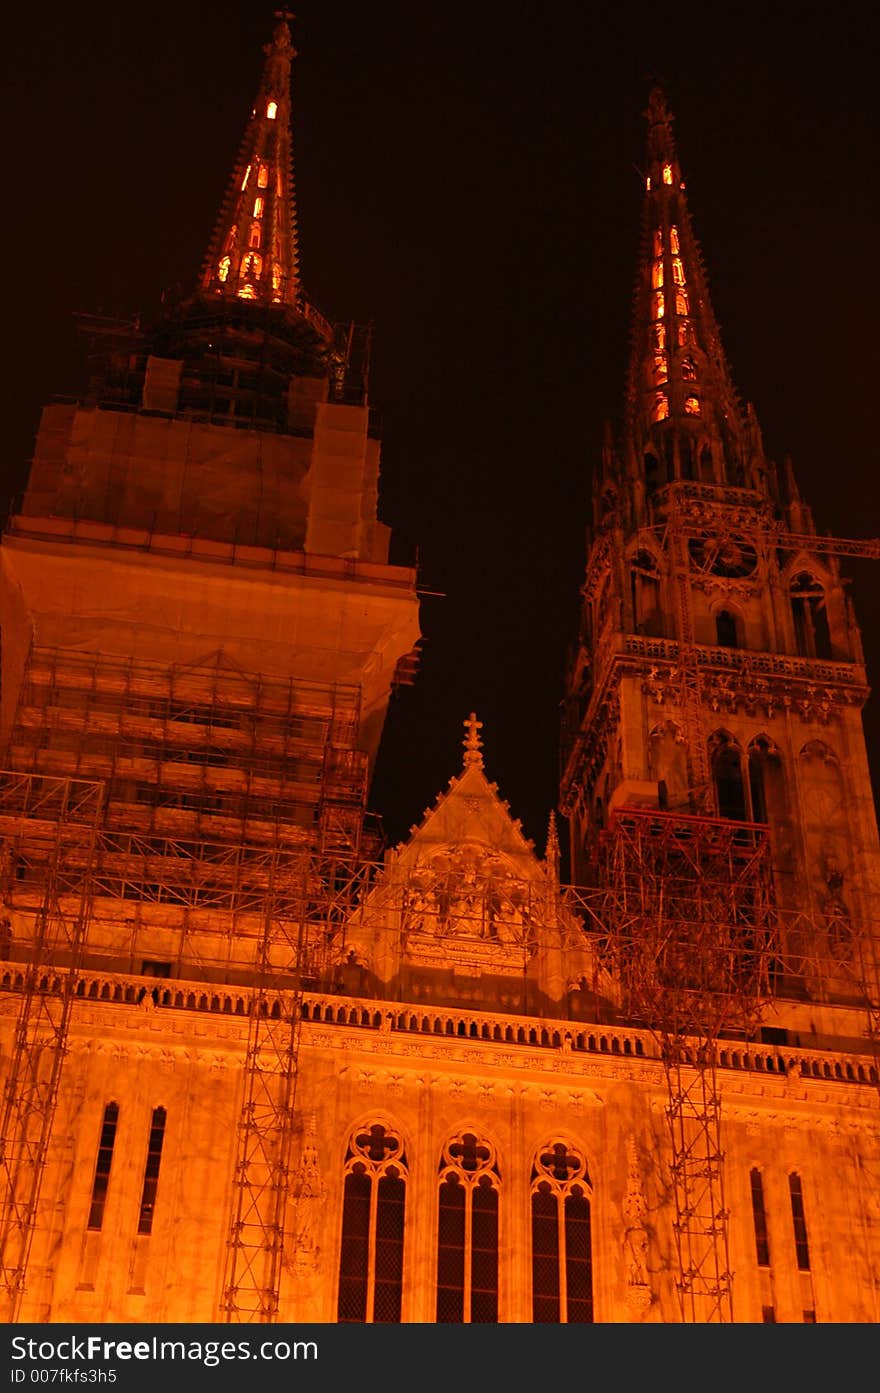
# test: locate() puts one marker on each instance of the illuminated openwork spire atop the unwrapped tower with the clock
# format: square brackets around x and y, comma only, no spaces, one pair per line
[683,407]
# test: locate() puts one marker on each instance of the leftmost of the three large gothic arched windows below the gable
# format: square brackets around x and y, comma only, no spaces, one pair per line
[374,1213]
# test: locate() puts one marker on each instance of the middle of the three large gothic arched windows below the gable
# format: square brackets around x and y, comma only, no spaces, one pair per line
[469,1234]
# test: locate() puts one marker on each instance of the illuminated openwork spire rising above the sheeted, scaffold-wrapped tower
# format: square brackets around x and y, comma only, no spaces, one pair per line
[253,254]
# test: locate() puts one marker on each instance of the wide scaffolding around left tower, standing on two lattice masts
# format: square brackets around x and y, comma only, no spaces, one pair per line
[233,828]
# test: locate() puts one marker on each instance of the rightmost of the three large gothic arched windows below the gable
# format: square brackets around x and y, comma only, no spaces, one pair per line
[562,1250]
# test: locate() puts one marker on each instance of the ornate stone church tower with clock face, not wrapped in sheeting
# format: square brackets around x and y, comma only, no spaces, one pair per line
[719,671]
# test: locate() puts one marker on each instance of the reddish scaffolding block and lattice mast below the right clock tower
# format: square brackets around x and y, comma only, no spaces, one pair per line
[689,915]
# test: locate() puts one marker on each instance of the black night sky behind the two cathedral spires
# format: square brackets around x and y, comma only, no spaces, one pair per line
[469,182]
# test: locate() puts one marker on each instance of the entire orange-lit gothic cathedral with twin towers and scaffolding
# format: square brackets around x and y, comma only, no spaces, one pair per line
[262,1068]
